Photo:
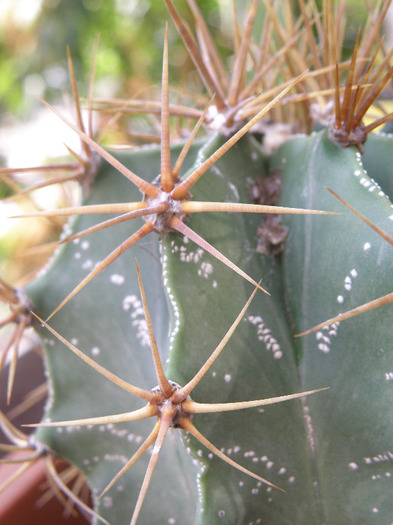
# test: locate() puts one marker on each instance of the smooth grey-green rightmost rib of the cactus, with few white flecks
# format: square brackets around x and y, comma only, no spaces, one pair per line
[328,269]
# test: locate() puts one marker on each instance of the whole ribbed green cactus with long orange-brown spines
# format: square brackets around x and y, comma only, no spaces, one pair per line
[328,452]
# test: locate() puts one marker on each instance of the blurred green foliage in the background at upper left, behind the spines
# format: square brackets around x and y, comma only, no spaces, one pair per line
[33,57]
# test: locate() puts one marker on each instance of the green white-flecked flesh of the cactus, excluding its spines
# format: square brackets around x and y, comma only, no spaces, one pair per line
[331,451]
